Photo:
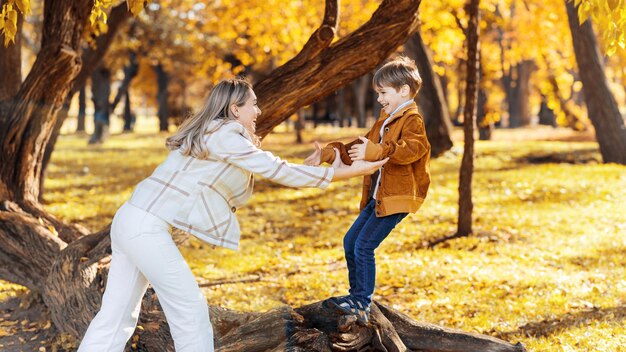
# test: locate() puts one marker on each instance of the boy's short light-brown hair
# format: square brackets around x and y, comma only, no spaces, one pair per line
[397,73]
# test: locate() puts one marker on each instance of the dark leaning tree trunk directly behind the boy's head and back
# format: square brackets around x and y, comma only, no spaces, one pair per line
[431,97]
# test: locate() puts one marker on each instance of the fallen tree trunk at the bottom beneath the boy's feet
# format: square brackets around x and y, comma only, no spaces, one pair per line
[315,327]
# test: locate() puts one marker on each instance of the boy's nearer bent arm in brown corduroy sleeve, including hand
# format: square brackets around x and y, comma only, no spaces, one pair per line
[410,147]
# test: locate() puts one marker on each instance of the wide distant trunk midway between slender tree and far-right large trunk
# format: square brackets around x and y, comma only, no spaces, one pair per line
[518,94]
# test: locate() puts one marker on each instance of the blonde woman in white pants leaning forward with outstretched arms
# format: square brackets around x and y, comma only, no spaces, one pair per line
[205,178]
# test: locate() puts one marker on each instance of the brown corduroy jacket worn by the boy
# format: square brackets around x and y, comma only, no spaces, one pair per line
[405,178]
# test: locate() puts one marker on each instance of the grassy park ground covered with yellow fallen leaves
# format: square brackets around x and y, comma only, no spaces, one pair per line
[545,265]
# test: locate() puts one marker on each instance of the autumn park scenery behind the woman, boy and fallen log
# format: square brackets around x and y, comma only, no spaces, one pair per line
[542,262]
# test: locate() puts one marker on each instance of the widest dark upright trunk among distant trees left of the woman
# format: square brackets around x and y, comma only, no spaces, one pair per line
[100,92]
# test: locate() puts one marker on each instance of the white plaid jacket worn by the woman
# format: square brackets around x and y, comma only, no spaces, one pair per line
[201,196]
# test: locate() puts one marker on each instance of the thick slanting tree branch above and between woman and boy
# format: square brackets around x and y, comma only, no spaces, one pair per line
[319,71]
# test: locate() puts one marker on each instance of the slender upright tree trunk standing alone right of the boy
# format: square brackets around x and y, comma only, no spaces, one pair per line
[469,114]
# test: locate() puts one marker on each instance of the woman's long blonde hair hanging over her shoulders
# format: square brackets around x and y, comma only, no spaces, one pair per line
[189,138]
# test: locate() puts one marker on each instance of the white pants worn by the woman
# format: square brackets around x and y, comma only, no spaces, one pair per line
[143,252]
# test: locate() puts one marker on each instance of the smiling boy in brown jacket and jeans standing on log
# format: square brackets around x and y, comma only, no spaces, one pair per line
[396,189]
